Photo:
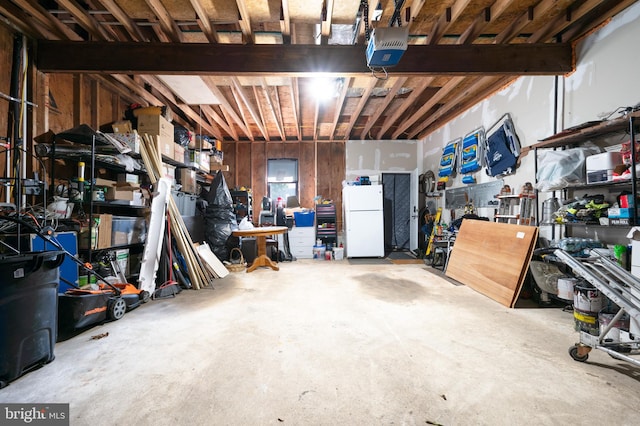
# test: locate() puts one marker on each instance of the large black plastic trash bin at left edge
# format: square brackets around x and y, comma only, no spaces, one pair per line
[28,311]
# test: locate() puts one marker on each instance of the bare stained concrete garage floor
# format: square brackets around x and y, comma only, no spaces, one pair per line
[327,343]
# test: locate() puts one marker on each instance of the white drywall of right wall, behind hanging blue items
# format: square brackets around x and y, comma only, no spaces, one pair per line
[606,77]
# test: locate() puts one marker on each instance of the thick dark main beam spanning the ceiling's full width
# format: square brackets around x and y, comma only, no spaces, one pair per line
[192,58]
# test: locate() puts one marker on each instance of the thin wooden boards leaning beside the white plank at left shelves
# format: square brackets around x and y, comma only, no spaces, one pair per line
[202,270]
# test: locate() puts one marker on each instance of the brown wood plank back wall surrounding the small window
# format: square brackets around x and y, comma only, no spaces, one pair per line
[321,169]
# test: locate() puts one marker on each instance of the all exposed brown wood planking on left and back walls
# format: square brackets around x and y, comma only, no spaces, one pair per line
[80,99]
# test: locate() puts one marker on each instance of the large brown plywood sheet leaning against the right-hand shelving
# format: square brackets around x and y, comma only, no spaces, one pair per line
[493,258]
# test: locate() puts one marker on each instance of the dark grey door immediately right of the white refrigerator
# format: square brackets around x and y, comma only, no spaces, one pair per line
[396,188]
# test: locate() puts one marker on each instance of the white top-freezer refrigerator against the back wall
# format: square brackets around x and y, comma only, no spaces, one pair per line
[363,221]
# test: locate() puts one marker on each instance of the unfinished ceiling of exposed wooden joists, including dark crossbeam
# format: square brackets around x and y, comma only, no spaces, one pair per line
[255,58]
